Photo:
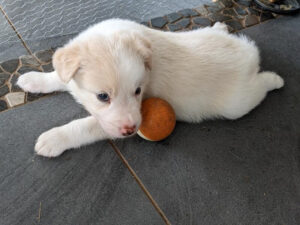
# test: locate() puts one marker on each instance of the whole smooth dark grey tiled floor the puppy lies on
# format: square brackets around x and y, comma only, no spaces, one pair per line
[218,172]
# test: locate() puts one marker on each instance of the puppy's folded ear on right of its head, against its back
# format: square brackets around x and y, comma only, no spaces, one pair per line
[143,47]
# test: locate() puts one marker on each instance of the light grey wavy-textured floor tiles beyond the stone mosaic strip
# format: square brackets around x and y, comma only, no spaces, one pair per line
[45,24]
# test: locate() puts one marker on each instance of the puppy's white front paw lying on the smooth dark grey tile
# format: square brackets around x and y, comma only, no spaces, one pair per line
[51,143]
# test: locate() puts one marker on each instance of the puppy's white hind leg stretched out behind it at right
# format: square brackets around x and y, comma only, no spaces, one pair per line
[252,93]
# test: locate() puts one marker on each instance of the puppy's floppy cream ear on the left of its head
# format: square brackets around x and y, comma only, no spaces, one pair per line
[66,62]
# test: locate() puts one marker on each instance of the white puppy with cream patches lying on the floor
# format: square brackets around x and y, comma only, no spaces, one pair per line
[110,67]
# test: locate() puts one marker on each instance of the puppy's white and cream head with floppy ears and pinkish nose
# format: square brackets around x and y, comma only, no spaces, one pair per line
[108,76]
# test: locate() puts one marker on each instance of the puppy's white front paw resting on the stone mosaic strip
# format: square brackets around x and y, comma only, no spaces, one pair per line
[32,82]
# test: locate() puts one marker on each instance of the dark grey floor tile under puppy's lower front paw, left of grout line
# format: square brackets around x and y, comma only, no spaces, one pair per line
[87,186]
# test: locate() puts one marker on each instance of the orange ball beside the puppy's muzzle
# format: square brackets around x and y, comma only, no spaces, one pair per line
[158,119]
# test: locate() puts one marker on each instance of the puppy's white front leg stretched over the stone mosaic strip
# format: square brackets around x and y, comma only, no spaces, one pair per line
[38,82]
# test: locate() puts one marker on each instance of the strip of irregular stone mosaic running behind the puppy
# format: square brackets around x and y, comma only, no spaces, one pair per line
[237,14]
